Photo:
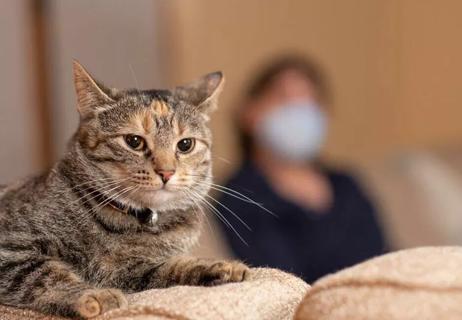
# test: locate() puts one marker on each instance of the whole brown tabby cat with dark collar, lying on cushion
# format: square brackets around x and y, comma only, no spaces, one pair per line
[118,213]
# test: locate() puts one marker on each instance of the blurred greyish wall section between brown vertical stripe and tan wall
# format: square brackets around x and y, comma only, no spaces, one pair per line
[116,40]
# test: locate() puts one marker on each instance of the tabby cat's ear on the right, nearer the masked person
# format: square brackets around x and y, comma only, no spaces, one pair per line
[202,93]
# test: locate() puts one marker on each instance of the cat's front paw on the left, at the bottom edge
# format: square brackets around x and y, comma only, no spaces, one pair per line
[95,302]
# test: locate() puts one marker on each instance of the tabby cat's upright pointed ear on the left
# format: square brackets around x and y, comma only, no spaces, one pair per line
[92,96]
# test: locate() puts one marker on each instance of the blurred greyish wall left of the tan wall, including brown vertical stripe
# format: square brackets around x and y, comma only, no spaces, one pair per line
[118,44]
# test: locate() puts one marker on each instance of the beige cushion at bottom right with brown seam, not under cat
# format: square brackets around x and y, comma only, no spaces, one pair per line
[422,283]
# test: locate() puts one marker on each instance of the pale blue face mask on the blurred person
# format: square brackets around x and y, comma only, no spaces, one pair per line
[294,132]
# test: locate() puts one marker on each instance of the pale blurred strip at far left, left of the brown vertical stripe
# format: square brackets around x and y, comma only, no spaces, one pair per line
[20,131]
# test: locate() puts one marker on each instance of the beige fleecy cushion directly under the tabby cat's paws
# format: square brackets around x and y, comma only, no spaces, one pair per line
[267,294]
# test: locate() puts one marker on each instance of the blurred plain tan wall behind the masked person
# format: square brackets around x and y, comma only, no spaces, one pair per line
[394,65]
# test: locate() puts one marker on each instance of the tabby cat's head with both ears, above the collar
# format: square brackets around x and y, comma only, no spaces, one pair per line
[147,148]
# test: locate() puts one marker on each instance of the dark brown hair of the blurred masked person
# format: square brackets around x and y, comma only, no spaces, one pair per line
[265,77]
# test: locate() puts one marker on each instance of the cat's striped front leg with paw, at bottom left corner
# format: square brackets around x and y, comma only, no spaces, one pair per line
[50,286]
